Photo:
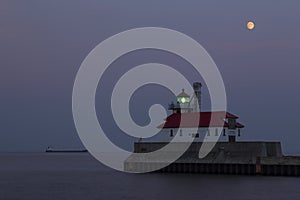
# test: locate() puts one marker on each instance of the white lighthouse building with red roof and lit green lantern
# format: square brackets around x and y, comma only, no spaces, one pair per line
[218,125]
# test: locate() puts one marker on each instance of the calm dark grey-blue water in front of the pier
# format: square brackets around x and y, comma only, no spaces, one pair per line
[78,176]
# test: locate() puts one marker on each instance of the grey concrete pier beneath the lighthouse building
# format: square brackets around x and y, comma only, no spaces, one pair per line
[245,158]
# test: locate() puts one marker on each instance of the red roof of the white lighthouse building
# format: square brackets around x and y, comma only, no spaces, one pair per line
[187,120]
